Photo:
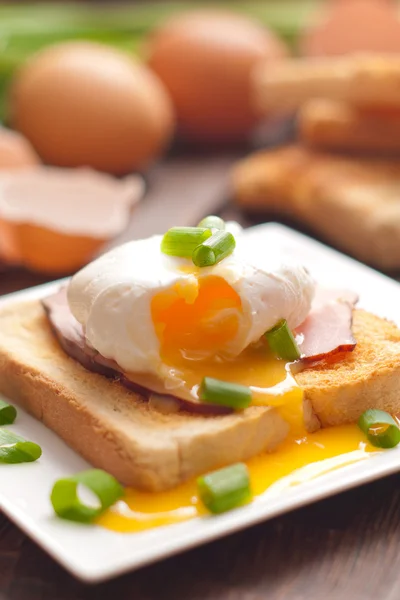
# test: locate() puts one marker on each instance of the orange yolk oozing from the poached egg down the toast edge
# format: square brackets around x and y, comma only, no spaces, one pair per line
[195,320]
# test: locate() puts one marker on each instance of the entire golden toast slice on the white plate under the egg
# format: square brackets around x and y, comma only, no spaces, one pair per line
[118,431]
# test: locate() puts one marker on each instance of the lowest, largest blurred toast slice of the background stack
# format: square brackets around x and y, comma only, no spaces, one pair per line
[351,202]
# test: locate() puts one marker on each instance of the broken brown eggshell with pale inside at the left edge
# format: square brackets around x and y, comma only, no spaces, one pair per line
[54,220]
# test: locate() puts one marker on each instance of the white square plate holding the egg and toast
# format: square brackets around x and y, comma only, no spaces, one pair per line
[95,554]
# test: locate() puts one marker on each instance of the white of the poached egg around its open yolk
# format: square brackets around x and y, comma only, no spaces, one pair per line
[111,298]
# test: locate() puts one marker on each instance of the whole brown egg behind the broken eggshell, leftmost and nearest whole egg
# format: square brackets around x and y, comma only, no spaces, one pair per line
[84,104]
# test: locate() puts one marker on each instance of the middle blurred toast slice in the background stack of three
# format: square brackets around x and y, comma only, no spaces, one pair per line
[333,125]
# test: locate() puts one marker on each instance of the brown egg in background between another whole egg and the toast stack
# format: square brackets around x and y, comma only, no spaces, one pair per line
[205,59]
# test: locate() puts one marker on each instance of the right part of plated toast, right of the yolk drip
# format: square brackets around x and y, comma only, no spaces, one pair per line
[369,377]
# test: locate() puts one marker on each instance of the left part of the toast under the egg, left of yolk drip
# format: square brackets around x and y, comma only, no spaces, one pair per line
[113,428]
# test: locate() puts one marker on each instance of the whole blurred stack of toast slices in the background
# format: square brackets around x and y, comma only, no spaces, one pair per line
[340,179]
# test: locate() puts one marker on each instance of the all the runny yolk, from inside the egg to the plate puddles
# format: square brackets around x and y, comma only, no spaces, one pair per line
[192,320]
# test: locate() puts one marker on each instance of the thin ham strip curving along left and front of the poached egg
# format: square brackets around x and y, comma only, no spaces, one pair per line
[70,335]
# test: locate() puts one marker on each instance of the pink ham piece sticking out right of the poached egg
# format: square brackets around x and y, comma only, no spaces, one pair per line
[328,328]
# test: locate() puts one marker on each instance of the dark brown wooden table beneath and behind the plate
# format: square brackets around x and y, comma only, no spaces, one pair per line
[346,548]
